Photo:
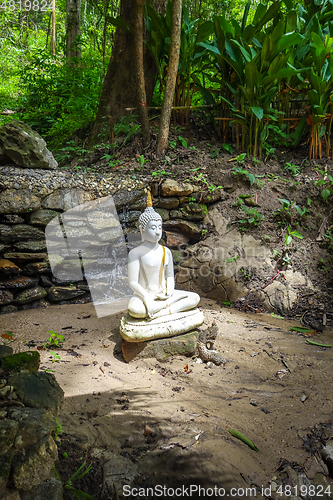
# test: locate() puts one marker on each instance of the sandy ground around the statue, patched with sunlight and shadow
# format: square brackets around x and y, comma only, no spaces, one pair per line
[274,389]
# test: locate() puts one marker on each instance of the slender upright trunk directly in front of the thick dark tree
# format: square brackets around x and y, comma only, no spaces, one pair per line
[140,74]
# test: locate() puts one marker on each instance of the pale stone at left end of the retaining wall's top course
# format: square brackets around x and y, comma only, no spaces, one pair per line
[18,202]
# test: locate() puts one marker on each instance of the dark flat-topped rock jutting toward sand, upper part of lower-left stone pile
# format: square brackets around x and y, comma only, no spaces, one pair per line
[38,390]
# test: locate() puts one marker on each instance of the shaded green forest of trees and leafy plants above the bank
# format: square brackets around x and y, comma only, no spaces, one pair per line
[263,70]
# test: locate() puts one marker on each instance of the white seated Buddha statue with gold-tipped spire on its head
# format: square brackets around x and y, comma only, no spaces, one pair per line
[156,308]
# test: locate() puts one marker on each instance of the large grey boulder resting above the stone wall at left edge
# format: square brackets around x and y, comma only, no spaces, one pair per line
[25,147]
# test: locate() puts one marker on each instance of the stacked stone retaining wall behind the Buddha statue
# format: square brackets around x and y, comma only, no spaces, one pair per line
[30,199]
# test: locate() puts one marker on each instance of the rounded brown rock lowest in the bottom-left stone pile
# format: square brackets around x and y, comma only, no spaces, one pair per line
[33,465]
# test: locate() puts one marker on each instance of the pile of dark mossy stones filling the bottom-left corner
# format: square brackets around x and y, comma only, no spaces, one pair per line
[30,402]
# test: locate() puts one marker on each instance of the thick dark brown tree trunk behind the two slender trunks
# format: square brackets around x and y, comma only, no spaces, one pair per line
[119,88]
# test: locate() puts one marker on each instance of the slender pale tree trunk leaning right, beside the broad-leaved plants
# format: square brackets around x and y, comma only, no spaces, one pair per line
[163,132]
